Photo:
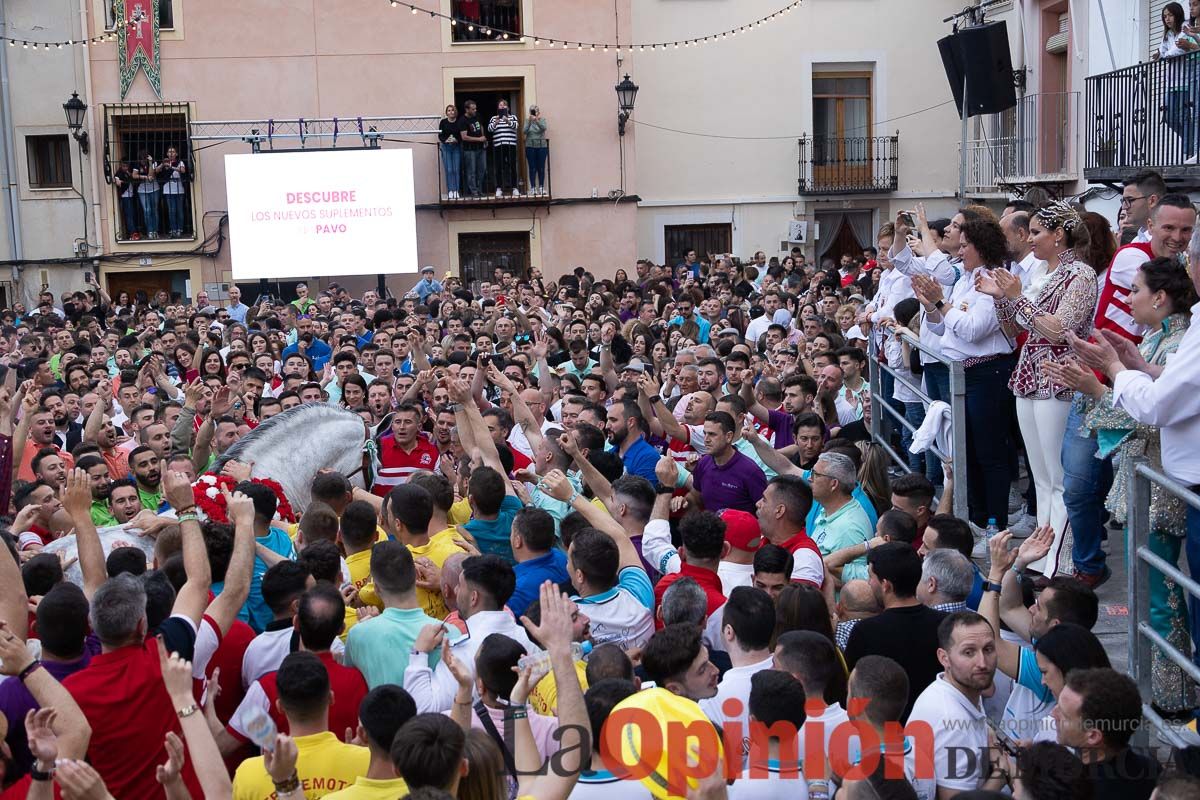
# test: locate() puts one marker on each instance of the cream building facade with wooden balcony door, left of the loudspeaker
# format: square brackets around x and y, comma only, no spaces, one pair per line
[833,118]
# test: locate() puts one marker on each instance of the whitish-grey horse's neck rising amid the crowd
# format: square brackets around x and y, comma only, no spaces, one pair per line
[292,447]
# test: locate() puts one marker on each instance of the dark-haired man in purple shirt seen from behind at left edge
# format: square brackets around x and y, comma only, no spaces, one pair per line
[67,649]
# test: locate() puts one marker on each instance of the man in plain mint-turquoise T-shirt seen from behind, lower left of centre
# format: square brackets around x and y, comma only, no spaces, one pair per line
[380,647]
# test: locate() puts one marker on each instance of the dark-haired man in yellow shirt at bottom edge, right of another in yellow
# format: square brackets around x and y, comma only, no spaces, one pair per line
[383,712]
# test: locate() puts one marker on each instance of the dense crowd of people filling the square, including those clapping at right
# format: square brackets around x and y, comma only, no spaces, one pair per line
[595,513]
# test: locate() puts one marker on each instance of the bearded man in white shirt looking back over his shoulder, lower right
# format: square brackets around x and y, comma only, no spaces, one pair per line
[952,709]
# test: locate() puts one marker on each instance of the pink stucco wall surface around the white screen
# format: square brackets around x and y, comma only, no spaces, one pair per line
[350,58]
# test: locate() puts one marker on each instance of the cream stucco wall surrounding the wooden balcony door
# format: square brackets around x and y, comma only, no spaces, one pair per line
[759,85]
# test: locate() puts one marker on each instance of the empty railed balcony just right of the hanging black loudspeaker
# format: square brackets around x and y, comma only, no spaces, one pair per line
[1034,143]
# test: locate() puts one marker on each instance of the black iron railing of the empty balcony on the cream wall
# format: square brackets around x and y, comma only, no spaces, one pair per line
[849,165]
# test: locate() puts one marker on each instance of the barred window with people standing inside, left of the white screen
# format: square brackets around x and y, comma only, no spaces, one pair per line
[149,165]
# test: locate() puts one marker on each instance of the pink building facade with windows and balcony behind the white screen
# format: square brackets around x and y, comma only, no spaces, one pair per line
[227,63]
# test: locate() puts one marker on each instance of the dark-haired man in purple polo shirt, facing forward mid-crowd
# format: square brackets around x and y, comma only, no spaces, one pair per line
[725,479]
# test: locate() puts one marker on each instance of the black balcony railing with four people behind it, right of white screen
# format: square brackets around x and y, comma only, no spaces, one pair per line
[531,188]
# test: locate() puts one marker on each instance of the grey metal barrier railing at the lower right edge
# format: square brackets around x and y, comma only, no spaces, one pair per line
[1143,637]
